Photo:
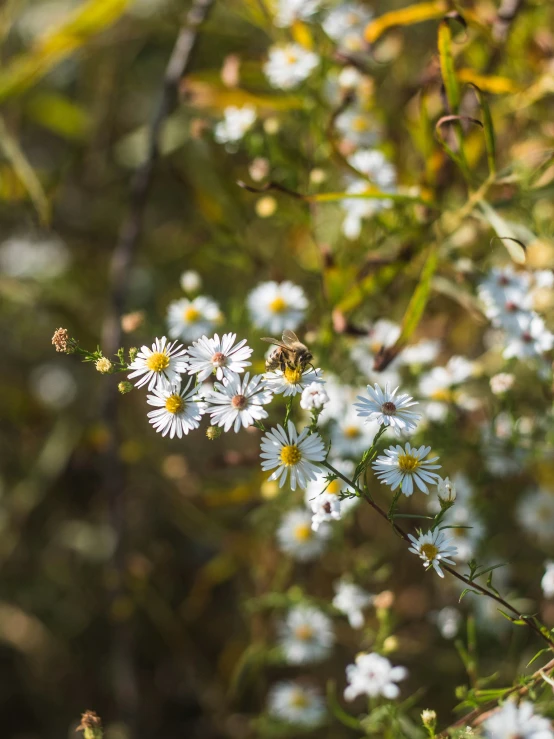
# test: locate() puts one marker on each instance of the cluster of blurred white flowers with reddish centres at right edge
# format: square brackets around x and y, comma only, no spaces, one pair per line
[508,298]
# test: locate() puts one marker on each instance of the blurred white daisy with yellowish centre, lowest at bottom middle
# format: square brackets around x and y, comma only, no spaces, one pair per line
[296,704]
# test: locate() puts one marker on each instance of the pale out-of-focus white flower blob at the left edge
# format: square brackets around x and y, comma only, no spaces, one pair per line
[27,257]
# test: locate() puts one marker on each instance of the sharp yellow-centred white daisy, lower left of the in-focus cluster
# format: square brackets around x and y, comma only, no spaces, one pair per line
[178,411]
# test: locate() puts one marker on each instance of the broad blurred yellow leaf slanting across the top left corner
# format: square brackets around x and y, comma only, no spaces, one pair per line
[89,19]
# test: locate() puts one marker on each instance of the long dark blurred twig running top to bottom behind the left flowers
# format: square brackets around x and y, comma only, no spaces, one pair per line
[124,684]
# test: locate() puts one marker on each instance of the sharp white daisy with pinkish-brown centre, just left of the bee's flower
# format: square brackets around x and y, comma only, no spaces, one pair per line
[219,356]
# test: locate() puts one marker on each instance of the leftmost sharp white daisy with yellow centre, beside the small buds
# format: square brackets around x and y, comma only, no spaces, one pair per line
[164,363]
